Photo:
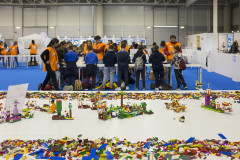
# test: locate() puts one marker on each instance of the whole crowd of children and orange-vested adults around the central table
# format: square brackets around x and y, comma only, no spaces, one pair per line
[63,57]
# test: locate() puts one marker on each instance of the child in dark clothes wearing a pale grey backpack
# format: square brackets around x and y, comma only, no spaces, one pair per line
[141,54]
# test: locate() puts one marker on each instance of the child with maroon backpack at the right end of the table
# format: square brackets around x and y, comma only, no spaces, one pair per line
[178,73]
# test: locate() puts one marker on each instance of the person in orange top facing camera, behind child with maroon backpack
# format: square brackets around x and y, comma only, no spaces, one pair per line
[169,52]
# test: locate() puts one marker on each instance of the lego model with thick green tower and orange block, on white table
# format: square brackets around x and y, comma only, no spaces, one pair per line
[59,116]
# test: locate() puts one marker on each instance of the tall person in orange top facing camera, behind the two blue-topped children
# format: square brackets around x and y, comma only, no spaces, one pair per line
[99,48]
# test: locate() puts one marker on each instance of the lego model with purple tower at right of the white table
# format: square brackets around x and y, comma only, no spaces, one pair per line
[213,106]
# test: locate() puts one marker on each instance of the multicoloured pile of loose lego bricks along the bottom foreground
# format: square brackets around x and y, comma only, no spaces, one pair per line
[69,148]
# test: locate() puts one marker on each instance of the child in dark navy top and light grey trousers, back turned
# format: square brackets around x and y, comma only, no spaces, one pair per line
[109,60]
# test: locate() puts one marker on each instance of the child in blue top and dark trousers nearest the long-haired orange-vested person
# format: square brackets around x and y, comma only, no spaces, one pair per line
[71,69]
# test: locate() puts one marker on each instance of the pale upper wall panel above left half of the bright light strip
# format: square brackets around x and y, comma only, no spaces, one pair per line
[160,16]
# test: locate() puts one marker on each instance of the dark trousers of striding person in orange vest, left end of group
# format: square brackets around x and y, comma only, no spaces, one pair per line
[50,75]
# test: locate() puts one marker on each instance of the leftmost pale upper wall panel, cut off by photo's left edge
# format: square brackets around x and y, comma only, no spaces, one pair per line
[6,13]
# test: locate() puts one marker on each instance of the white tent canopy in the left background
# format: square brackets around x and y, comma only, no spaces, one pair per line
[40,39]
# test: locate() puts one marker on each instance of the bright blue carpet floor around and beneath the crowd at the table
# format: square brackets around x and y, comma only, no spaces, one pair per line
[34,76]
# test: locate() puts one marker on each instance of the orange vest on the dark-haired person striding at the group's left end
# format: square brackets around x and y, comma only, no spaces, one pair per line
[53,58]
